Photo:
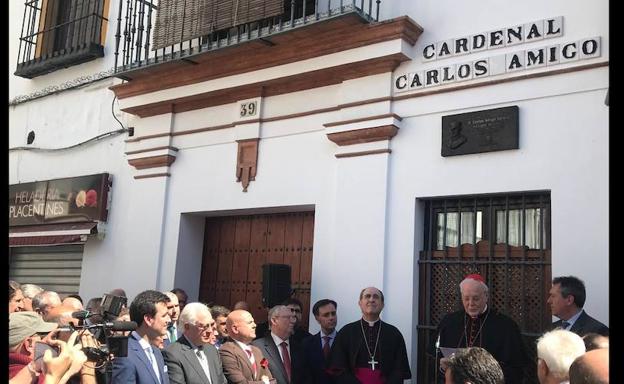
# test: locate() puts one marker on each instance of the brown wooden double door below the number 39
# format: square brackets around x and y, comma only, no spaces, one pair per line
[236,247]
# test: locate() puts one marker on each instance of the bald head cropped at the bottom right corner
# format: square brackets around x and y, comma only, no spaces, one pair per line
[591,368]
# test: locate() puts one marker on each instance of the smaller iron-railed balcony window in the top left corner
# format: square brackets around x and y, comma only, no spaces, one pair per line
[57,34]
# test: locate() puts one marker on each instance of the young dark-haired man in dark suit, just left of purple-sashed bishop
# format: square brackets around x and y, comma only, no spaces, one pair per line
[317,348]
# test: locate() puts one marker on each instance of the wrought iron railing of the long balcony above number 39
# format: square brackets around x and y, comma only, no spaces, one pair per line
[152,32]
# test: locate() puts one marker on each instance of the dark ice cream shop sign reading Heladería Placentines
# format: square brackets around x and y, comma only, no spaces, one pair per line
[71,199]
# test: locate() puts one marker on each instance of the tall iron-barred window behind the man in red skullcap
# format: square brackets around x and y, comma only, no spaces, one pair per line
[505,238]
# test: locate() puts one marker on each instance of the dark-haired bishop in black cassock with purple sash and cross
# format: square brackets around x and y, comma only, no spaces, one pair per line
[369,351]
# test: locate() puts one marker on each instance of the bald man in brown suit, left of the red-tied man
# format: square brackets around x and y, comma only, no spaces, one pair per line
[242,362]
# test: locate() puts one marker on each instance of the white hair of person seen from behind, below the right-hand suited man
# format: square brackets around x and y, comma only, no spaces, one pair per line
[558,349]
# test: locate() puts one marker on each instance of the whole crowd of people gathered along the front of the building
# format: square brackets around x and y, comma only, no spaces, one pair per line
[161,338]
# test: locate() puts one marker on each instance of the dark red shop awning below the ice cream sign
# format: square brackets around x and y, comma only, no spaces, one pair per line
[51,234]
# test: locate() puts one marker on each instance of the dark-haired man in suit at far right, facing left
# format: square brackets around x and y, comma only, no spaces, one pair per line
[566,299]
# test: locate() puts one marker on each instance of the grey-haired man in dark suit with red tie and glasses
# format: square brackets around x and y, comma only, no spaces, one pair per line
[283,353]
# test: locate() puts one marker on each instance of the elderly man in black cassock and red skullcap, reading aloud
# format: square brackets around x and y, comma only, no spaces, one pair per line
[486,328]
